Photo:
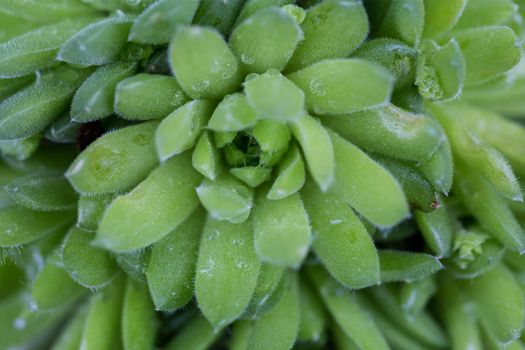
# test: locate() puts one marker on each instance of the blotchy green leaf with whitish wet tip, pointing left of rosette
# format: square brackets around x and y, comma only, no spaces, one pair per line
[116,161]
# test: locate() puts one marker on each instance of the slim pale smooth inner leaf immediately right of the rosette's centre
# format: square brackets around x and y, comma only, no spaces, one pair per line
[317,148]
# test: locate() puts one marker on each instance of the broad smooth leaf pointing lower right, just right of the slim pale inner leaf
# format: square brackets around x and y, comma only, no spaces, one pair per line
[366,186]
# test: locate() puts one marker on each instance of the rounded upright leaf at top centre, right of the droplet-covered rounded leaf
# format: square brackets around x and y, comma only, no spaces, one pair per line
[267,39]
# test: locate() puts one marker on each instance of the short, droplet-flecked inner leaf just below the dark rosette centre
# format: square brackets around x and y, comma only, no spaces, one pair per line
[226,198]
